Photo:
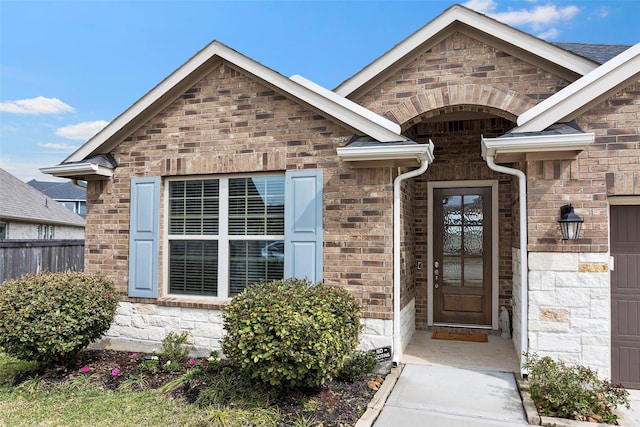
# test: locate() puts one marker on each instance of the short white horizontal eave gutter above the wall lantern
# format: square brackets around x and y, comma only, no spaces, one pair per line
[536,144]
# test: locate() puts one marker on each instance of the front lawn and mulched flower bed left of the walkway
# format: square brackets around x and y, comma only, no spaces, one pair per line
[66,397]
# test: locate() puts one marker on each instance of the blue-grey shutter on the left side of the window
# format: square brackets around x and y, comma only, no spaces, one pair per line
[143,237]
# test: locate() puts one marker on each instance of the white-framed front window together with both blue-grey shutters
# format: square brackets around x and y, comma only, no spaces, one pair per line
[224,233]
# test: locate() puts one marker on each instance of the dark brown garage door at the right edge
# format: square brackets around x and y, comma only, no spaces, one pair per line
[625,296]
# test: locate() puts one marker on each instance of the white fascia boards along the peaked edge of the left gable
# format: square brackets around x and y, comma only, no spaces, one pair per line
[275,80]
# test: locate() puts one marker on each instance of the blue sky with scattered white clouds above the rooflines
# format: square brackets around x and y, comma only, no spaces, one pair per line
[69,67]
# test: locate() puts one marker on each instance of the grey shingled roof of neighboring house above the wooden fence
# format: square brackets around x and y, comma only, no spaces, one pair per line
[21,202]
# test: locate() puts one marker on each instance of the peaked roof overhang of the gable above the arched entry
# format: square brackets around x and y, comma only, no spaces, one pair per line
[459,18]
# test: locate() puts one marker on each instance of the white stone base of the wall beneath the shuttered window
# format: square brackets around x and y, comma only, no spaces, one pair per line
[141,327]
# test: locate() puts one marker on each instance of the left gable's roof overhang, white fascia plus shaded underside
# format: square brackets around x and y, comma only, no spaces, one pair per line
[202,63]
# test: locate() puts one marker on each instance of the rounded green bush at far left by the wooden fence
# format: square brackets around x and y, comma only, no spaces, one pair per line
[50,317]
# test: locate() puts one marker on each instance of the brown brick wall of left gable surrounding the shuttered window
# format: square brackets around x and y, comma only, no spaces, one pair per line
[228,123]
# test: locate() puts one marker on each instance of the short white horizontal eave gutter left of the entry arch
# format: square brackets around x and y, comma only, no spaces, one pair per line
[396,152]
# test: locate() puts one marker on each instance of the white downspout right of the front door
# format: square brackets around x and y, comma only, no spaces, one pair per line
[524,303]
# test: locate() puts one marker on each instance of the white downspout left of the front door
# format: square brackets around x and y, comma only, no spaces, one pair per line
[424,164]
